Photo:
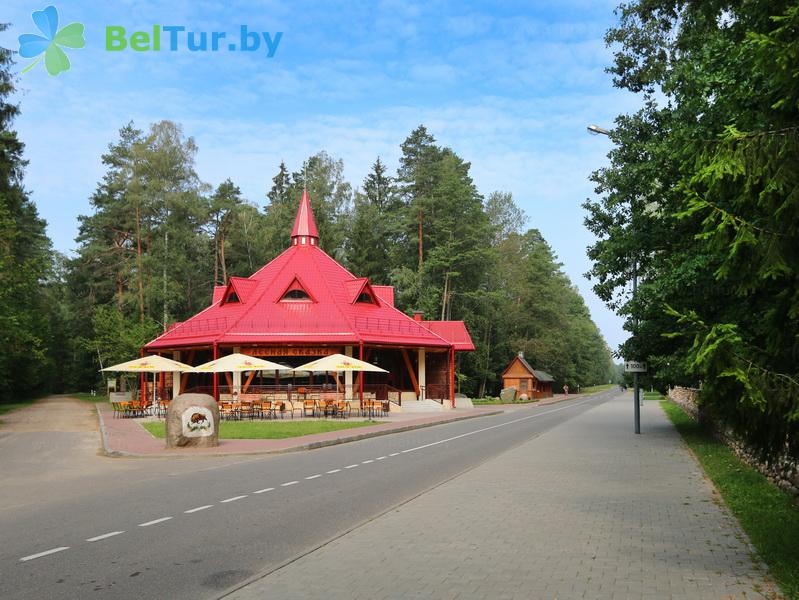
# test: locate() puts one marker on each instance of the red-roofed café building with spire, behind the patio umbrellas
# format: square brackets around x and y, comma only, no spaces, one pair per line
[304,304]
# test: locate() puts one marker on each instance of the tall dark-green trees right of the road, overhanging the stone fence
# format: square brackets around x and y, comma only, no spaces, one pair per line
[701,199]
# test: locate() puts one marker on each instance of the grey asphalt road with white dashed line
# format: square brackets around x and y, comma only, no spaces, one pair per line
[194,528]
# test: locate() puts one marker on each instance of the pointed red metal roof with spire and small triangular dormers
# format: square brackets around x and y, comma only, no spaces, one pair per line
[330,315]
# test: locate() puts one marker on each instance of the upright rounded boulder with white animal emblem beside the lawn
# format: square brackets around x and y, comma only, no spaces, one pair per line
[192,421]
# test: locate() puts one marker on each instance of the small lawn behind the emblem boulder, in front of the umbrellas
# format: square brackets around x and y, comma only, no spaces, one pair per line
[268,430]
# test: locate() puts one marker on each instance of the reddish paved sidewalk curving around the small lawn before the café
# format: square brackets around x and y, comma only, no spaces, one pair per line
[126,437]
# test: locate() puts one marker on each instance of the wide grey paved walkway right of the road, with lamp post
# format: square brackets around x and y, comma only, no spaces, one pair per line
[586,510]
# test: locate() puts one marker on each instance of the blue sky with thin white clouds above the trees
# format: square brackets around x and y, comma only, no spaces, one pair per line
[509,86]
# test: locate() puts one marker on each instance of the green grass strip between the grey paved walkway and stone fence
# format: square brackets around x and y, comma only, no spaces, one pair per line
[767,514]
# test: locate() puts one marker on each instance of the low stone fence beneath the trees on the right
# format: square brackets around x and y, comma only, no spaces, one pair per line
[782,471]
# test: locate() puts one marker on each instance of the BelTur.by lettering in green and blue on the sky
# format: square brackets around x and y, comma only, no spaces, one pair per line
[176,38]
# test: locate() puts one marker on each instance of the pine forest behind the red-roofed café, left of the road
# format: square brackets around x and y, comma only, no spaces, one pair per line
[158,239]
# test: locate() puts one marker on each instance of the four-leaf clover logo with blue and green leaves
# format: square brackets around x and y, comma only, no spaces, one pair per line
[32,45]
